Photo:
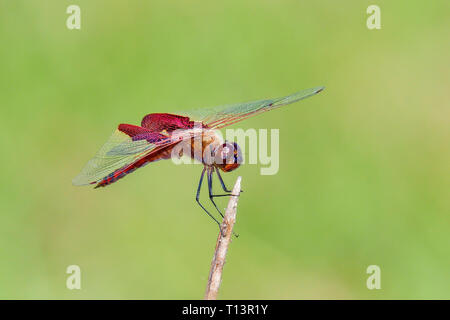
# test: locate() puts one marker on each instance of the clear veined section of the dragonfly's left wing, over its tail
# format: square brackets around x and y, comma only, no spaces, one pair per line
[119,151]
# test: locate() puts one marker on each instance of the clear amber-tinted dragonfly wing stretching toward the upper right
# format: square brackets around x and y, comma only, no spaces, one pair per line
[219,117]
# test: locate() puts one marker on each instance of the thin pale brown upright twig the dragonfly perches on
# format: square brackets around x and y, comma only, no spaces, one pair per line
[223,241]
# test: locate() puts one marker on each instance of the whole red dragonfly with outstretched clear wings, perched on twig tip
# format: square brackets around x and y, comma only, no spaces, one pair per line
[160,134]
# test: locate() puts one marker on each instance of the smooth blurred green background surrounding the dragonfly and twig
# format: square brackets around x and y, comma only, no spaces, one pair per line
[364,166]
